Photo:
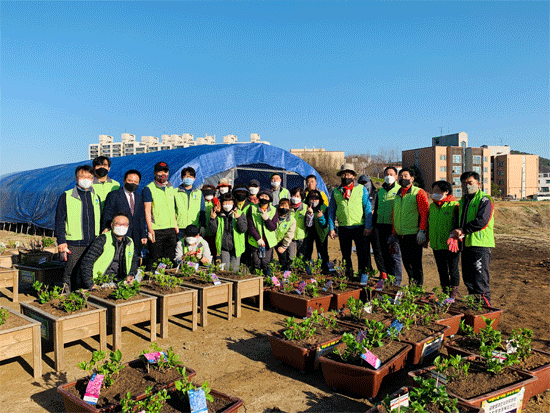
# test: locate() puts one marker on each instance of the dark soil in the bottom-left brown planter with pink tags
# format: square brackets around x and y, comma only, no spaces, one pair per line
[134,379]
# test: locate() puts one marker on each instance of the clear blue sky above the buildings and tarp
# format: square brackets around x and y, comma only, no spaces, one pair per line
[352,76]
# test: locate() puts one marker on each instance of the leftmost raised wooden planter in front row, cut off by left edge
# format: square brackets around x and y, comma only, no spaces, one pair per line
[22,340]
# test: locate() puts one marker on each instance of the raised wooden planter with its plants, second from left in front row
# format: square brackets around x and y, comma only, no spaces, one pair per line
[65,318]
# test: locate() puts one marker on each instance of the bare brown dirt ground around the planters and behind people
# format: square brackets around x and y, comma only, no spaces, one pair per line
[235,357]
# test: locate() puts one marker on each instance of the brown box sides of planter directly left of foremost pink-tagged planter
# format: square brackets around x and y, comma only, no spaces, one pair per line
[301,358]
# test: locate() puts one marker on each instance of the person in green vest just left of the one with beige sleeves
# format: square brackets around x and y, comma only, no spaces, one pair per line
[262,224]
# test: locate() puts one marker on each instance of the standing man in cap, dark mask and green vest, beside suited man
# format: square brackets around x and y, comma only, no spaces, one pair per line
[160,215]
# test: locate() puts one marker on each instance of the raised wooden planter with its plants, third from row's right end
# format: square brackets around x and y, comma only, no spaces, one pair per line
[172,298]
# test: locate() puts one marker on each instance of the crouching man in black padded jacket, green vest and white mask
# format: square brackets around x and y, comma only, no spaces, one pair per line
[111,253]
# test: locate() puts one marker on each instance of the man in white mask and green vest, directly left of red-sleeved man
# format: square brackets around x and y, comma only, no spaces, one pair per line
[383,220]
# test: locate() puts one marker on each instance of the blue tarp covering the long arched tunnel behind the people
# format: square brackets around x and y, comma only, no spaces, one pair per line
[30,197]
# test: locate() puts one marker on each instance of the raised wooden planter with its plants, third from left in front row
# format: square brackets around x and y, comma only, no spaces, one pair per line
[125,305]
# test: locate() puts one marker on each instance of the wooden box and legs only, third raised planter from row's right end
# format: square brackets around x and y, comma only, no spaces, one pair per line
[172,304]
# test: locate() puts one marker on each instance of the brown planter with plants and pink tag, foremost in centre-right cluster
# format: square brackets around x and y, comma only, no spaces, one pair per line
[346,368]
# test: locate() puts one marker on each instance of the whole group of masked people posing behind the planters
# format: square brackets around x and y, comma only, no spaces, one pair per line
[103,227]
